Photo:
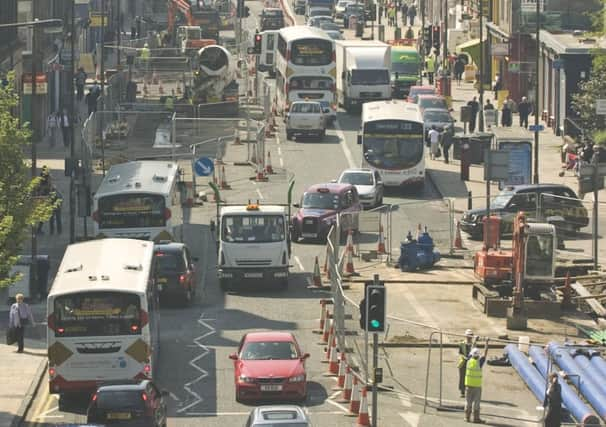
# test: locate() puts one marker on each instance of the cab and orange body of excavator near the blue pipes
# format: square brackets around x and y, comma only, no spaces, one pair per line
[527,269]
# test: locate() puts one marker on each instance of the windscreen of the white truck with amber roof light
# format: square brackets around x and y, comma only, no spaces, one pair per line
[253,228]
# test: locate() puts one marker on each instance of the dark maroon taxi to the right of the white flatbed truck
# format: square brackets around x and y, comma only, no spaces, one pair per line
[319,207]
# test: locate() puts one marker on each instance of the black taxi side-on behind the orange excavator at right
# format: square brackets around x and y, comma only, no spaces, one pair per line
[557,204]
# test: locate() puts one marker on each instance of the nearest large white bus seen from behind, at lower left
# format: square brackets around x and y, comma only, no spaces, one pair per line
[102,316]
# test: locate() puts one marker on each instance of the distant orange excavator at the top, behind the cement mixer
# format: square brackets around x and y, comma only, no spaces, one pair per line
[202,27]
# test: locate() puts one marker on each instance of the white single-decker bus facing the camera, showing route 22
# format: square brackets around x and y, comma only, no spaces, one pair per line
[391,135]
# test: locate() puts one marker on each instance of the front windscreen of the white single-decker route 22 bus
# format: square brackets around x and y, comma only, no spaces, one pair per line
[393,144]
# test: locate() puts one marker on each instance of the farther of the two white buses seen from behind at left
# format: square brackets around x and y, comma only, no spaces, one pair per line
[141,200]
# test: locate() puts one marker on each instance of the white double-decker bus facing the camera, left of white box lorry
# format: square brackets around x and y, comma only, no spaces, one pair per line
[305,68]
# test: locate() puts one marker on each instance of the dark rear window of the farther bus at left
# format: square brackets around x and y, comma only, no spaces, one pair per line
[131,211]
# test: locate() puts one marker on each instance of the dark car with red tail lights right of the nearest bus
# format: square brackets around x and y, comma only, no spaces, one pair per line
[175,271]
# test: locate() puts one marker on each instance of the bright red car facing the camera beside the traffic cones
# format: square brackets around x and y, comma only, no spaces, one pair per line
[270,366]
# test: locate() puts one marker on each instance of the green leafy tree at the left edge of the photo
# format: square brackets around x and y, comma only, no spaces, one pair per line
[20,207]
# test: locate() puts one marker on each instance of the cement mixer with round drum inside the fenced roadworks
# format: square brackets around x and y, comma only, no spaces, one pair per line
[215,82]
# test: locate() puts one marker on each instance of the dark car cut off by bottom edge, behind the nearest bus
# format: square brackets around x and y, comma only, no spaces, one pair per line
[128,404]
